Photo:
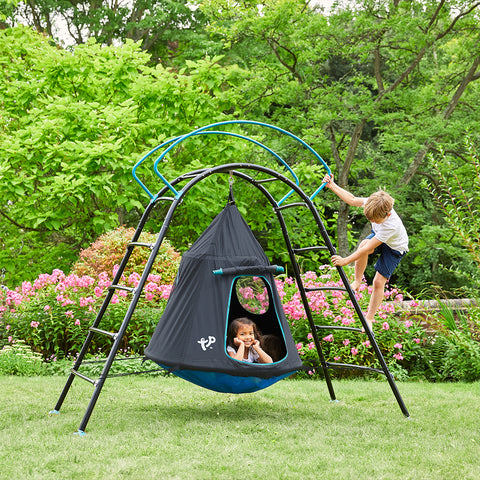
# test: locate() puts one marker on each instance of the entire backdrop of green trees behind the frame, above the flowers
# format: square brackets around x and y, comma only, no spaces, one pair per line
[386,92]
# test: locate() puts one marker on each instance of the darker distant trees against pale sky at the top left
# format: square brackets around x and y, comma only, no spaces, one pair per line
[166,29]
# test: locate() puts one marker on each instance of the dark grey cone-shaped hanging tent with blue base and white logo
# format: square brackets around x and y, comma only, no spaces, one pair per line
[190,338]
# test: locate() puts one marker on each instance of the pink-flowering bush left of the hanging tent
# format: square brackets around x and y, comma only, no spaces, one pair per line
[53,313]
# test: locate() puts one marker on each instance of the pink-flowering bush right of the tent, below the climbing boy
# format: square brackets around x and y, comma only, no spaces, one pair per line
[400,340]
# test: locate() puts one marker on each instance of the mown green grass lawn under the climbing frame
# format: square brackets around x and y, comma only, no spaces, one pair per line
[165,428]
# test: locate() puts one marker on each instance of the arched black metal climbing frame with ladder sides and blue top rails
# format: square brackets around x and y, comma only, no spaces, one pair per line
[240,171]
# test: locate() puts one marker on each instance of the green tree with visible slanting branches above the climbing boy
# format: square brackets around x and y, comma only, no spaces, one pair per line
[359,82]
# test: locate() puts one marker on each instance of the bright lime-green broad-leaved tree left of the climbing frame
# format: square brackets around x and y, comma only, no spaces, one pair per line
[72,125]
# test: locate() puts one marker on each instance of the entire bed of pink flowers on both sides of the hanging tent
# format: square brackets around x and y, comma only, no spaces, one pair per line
[52,315]
